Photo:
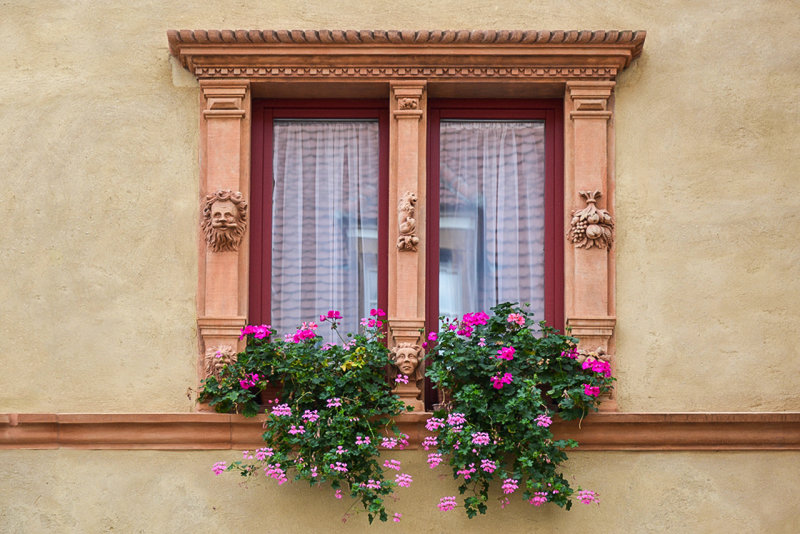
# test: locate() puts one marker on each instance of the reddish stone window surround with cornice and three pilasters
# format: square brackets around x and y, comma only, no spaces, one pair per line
[406,67]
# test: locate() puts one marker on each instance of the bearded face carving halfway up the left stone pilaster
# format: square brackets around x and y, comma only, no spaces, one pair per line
[224,220]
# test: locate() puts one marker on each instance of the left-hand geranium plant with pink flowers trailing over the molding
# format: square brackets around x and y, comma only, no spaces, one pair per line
[333,415]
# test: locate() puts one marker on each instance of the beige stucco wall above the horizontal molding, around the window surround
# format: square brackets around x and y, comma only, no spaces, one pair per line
[99,159]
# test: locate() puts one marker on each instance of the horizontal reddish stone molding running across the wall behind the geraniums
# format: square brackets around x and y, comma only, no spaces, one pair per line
[713,431]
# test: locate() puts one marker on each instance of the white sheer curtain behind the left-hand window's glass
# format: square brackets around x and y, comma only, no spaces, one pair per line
[324,221]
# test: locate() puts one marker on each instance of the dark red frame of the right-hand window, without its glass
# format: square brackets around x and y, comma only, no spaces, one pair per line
[551,112]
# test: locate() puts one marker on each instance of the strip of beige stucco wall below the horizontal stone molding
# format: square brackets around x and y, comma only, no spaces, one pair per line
[156,492]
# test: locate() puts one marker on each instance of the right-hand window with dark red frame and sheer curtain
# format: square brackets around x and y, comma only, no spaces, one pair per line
[495,194]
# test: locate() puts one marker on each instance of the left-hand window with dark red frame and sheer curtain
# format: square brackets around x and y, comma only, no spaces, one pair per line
[318,227]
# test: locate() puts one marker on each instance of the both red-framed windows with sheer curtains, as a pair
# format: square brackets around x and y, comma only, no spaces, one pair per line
[320,209]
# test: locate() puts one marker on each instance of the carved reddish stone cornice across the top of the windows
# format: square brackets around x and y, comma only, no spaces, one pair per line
[384,55]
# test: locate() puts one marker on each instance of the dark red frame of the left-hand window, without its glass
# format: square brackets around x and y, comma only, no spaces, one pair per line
[261,175]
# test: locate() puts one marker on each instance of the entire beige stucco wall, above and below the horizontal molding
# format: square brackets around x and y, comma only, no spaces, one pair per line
[98,156]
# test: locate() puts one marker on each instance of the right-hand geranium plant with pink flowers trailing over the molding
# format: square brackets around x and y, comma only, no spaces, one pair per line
[505,378]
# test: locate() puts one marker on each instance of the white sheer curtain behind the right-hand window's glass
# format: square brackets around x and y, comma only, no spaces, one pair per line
[491,225]
